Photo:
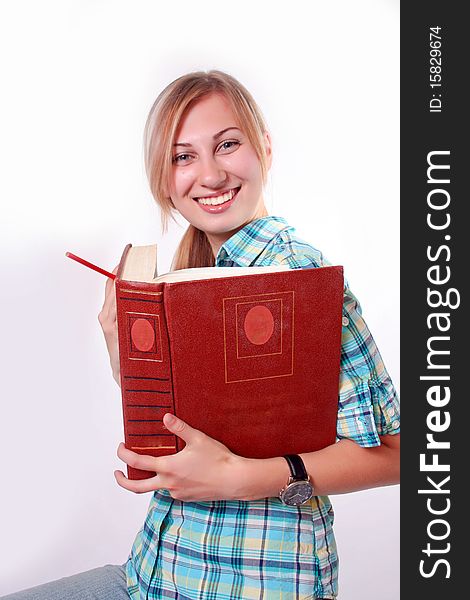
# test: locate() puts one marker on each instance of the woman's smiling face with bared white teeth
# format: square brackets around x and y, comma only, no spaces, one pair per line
[216,181]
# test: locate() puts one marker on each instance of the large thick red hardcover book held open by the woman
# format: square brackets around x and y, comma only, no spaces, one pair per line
[249,356]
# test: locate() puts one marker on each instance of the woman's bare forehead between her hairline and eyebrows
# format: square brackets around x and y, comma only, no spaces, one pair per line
[206,117]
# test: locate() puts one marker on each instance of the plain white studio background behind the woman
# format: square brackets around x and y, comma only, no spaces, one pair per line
[78,79]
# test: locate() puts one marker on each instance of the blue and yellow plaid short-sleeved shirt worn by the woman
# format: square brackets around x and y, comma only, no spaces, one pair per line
[264,549]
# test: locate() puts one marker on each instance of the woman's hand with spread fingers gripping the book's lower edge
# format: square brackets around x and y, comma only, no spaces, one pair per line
[204,470]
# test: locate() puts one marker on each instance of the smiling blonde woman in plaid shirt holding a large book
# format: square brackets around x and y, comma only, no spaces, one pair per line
[216,526]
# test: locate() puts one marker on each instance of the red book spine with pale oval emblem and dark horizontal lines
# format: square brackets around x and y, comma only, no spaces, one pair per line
[146,380]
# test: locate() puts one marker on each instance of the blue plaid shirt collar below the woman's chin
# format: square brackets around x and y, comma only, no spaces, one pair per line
[244,247]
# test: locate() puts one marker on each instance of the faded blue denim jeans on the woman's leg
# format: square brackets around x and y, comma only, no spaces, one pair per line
[104,583]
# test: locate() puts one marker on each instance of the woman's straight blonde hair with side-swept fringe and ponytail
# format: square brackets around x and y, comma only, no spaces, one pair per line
[162,123]
